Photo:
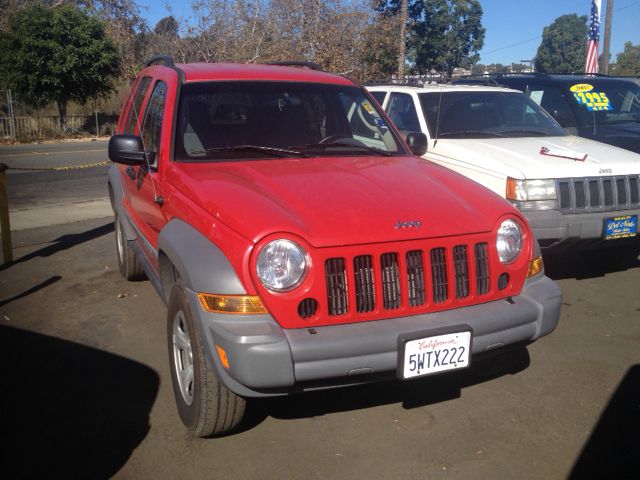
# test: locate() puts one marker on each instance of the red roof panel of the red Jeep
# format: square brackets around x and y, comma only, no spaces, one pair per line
[201,72]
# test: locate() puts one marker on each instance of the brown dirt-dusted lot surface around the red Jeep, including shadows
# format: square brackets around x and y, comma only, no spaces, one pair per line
[85,390]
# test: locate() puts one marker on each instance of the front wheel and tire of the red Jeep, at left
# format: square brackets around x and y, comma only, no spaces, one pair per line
[206,407]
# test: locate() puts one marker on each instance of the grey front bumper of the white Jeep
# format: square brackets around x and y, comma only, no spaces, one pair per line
[553,225]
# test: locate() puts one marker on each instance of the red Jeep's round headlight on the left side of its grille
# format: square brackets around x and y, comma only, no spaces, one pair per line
[281,265]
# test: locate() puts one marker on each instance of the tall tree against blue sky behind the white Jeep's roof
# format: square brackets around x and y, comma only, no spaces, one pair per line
[443,34]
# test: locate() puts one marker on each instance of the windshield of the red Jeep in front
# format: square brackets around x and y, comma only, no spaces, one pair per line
[249,120]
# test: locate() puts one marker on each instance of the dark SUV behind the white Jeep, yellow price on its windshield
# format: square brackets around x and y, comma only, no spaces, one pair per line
[602,108]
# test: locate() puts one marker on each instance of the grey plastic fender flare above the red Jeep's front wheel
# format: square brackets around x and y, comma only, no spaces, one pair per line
[201,265]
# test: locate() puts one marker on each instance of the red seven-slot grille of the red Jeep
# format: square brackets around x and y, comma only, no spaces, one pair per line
[402,279]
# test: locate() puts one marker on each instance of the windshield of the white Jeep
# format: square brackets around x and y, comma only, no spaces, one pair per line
[485,114]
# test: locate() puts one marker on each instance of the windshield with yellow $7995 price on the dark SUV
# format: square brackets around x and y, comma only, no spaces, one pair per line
[606,103]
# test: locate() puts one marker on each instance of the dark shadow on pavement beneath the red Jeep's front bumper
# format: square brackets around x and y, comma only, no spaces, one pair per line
[411,394]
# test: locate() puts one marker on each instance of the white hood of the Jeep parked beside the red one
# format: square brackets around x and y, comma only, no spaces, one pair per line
[521,157]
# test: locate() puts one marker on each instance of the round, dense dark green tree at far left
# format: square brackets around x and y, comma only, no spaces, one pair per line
[56,55]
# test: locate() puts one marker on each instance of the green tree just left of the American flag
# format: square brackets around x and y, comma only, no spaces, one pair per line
[563,45]
